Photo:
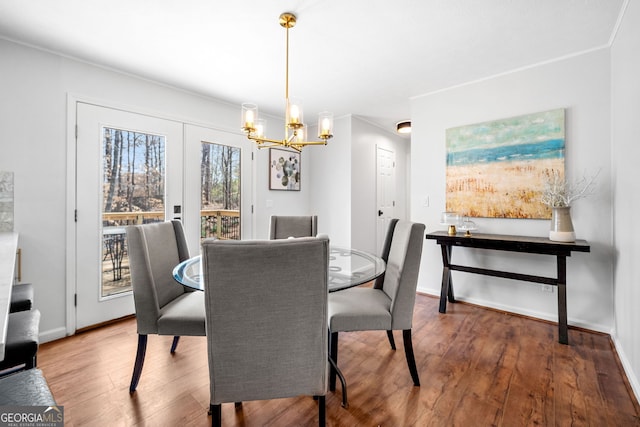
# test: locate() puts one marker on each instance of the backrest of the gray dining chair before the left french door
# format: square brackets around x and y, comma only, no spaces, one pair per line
[154,250]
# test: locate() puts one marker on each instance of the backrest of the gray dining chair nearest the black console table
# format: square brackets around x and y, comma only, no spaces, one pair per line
[401,275]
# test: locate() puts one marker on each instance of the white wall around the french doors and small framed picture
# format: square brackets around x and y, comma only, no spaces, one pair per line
[33,144]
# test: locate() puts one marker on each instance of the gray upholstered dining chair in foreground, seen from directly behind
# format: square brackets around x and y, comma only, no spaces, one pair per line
[266,307]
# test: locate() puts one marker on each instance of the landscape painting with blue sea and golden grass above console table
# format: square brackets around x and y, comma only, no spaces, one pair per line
[496,169]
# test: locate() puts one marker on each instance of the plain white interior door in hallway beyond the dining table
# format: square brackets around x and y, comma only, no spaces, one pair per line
[386,192]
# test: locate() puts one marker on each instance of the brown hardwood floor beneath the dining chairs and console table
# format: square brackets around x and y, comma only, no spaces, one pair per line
[478,367]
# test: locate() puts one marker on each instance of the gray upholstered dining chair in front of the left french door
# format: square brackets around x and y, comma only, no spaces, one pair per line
[163,306]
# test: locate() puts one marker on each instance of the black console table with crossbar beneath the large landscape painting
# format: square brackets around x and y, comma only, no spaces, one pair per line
[526,244]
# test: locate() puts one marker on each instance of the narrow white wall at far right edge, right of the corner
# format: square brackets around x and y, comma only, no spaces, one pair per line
[625,72]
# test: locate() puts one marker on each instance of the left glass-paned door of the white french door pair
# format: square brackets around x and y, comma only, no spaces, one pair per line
[129,169]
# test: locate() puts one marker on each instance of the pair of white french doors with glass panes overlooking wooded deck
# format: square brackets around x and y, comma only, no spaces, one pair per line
[133,168]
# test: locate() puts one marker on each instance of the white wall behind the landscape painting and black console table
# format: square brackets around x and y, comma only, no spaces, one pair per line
[580,85]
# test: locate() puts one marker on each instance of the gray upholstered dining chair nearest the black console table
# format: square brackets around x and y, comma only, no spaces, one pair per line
[388,305]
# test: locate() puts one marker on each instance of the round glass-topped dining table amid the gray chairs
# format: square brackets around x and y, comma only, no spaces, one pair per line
[348,267]
